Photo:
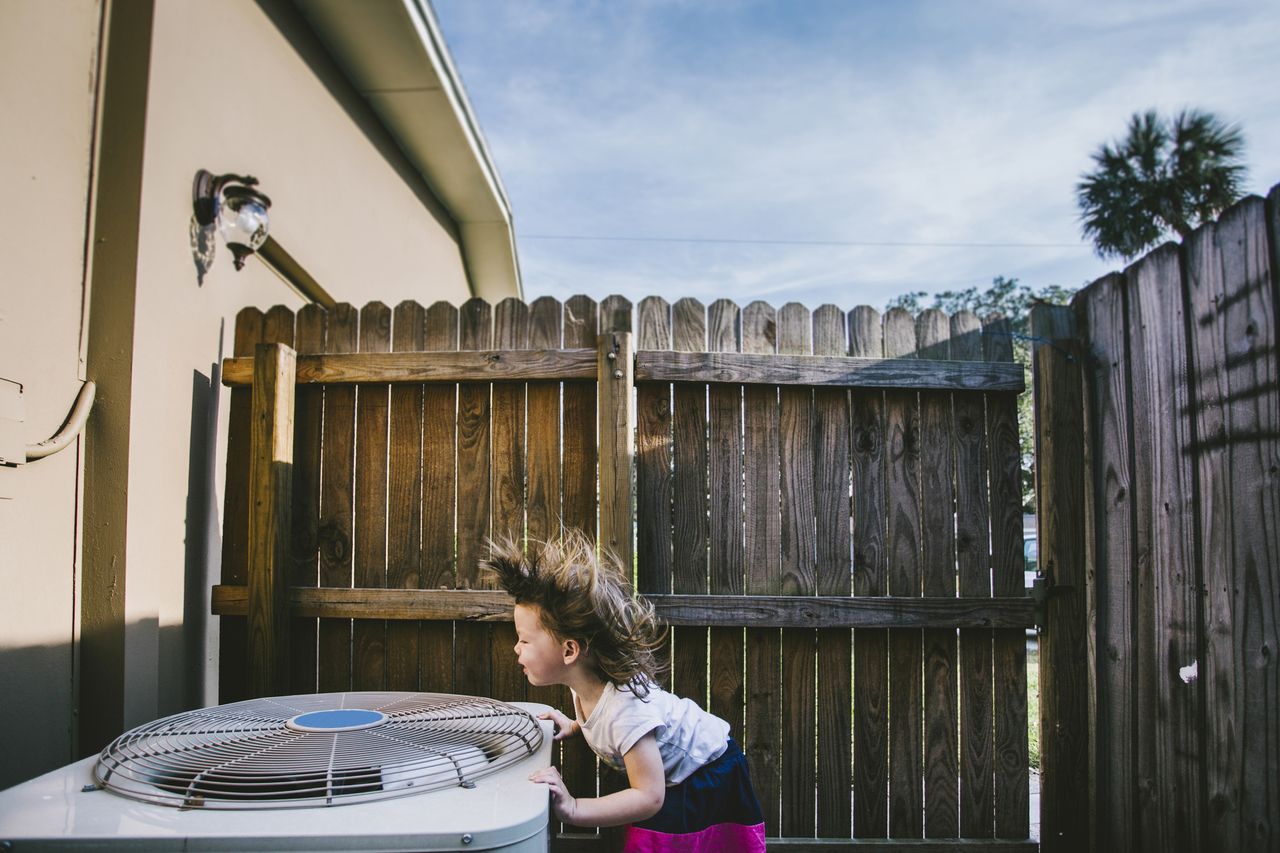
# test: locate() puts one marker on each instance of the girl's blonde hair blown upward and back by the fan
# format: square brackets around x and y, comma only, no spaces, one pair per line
[586,596]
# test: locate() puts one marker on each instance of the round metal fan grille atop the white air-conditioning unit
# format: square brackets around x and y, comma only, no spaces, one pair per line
[245,756]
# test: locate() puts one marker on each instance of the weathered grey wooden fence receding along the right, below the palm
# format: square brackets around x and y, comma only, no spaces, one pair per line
[1165,548]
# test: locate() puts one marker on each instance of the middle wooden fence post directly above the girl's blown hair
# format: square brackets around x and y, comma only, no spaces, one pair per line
[618,443]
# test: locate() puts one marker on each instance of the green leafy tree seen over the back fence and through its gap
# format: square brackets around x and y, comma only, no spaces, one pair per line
[1011,299]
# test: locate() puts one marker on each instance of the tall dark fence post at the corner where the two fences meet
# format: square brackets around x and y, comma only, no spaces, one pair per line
[1066,806]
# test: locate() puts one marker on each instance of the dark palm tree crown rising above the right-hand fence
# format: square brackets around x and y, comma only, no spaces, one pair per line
[1165,175]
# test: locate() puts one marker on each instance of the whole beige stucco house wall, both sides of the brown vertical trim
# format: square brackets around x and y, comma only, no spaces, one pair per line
[235,86]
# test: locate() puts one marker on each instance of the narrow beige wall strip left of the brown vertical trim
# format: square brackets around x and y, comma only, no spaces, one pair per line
[47,90]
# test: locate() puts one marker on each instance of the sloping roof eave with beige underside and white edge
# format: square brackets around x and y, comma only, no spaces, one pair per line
[395,56]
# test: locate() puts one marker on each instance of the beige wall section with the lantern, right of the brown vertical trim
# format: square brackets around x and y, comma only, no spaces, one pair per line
[237,90]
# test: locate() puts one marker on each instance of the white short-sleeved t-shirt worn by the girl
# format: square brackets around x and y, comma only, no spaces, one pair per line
[688,737]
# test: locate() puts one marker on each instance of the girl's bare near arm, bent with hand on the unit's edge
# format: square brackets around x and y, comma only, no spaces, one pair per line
[642,800]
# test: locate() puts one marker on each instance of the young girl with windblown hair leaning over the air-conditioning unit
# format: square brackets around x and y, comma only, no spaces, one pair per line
[578,624]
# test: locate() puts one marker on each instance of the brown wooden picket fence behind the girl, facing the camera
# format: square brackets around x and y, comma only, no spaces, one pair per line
[826,508]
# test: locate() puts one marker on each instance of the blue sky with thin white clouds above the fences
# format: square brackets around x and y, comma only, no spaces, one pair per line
[834,152]
